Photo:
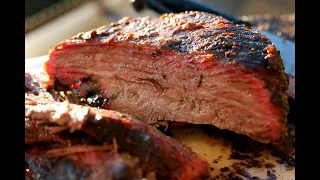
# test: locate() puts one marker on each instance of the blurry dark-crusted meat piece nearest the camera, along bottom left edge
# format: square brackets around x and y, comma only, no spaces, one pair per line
[88,165]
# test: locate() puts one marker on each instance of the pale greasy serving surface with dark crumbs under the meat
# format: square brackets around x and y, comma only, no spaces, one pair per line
[214,148]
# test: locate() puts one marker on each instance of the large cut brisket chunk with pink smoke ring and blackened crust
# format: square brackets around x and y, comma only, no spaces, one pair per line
[190,67]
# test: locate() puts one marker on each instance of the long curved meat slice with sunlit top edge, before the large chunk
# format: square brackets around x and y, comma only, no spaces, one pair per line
[157,152]
